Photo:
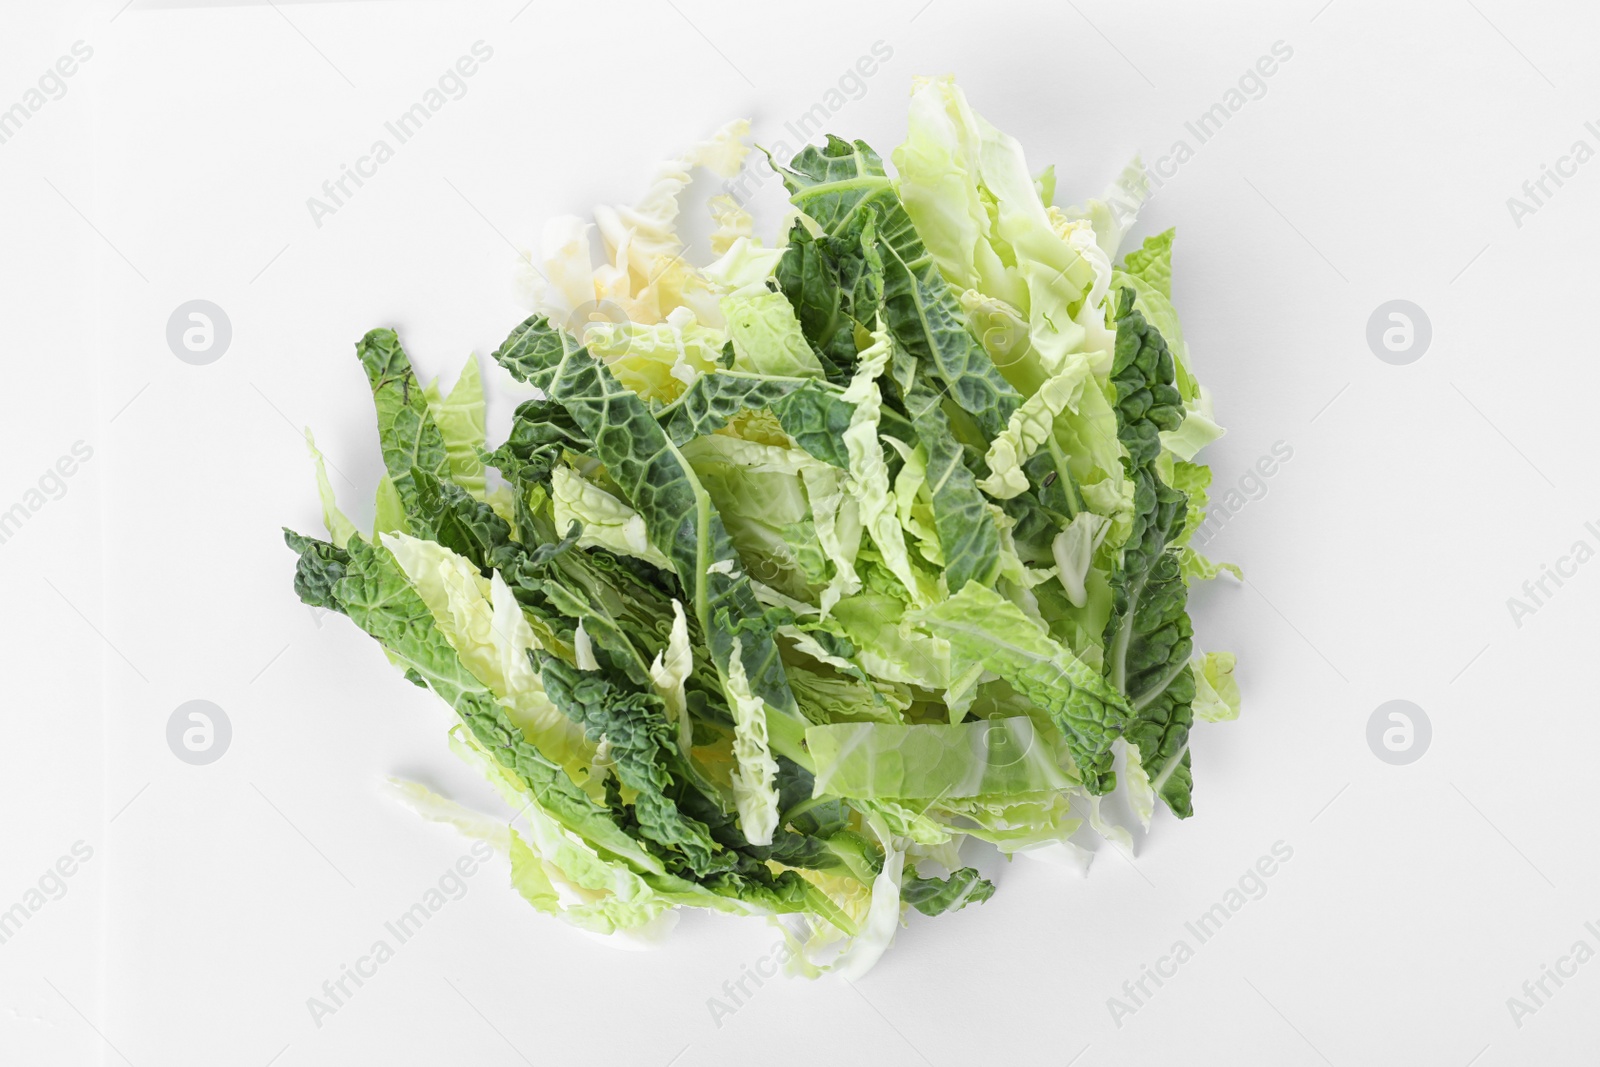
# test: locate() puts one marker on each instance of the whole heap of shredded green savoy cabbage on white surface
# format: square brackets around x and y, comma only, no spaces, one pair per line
[804,567]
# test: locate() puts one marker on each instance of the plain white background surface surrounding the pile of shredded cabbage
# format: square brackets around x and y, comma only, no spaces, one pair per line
[1380,559]
